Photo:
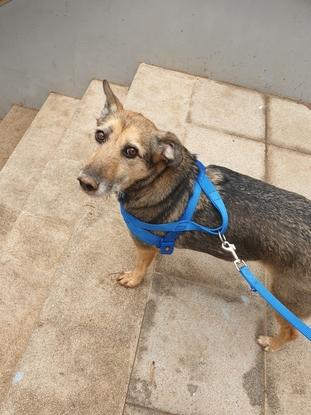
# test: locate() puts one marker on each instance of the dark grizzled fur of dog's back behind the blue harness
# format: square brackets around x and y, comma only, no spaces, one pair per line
[275,222]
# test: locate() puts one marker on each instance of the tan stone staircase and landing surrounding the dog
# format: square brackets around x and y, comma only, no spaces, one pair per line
[183,343]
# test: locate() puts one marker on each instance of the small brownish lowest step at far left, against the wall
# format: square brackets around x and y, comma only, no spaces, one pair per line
[12,129]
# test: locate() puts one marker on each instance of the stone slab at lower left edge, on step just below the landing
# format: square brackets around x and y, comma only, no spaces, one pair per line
[27,267]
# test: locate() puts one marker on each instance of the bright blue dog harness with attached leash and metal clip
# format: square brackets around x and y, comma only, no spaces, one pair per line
[144,232]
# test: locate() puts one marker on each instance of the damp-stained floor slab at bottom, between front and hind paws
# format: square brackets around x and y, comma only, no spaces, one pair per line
[198,350]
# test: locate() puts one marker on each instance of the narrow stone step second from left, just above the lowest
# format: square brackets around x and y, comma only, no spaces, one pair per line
[26,163]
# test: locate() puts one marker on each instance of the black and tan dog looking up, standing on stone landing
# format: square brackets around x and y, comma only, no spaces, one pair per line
[154,174]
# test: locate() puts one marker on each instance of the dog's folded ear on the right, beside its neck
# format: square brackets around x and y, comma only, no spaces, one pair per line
[168,148]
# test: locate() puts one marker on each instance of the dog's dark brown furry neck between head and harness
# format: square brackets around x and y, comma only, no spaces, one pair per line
[163,196]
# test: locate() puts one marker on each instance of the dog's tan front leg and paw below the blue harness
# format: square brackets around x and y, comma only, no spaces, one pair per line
[144,256]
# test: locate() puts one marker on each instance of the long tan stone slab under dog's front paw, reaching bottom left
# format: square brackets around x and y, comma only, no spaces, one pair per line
[86,337]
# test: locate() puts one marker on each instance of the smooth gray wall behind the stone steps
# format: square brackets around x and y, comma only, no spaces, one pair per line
[61,45]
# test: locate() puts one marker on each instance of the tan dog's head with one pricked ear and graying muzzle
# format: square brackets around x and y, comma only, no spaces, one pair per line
[131,149]
